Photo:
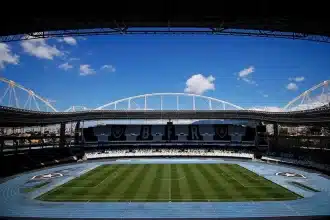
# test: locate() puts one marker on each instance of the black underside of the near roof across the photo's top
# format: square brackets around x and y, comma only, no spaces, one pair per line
[309,18]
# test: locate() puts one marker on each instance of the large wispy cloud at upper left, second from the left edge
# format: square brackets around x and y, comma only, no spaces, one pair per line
[39,48]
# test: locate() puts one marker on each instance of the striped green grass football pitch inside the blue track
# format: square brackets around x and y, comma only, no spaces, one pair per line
[169,182]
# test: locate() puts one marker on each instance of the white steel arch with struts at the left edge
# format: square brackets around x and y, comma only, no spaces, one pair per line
[16,95]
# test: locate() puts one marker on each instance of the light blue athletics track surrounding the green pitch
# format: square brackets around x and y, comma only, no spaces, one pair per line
[15,203]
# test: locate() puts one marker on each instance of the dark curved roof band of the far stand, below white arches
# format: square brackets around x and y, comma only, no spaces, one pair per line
[18,117]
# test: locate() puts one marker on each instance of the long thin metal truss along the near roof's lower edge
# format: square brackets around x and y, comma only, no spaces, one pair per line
[166,31]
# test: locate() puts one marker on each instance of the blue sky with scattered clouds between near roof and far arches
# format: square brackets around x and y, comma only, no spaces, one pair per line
[92,71]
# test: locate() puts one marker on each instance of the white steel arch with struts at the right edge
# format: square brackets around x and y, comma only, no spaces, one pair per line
[317,96]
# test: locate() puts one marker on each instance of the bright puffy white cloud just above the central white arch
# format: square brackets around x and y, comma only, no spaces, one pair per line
[198,84]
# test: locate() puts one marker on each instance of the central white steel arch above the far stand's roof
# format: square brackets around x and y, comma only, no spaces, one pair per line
[169,101]
